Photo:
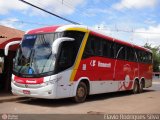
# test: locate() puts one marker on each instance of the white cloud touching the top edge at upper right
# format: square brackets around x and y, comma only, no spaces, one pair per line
[137,4]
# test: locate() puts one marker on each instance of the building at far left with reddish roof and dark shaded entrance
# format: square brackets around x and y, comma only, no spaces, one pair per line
[6,62]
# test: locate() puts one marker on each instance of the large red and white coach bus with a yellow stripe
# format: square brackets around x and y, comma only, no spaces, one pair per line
[75,61]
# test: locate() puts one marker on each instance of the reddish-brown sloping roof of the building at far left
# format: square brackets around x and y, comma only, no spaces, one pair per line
[8,34]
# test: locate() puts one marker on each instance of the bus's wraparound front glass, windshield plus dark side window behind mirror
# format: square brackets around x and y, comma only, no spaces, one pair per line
[35,57]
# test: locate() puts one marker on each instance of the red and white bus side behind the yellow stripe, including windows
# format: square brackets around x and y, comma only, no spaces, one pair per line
[111,65]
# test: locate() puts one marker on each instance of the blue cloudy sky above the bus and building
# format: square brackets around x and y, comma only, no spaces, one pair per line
[134,21]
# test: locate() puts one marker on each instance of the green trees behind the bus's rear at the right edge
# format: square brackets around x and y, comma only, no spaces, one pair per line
[156,56]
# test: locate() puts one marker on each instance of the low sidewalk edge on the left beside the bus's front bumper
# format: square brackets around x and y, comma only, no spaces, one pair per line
[7,97]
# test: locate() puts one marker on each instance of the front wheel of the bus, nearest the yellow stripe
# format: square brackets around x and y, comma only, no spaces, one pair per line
[81,93]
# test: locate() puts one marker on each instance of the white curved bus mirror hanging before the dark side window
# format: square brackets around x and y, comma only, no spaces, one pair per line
[58,41]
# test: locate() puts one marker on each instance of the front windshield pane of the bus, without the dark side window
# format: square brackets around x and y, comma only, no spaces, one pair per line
[35,54]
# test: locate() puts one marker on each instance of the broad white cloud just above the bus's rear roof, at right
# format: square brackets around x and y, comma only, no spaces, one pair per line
[139,36]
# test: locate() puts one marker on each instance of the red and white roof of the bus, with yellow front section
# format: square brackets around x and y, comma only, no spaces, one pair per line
[61,28]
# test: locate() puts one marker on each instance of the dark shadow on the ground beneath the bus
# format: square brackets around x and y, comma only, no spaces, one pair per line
[70,102]
